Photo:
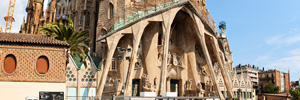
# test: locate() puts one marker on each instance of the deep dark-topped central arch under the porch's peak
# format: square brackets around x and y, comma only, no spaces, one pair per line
[183,31]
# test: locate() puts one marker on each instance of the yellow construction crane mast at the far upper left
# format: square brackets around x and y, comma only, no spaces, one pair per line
[10,16]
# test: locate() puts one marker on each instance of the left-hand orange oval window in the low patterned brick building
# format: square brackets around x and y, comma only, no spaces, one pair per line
[10,63]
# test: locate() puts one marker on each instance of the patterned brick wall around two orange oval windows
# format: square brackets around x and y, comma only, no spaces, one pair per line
[26,61]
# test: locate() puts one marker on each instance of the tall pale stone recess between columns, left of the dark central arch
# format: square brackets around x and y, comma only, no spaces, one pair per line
[148,47]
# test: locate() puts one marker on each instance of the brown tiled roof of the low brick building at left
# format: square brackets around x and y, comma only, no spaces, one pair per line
[30,39]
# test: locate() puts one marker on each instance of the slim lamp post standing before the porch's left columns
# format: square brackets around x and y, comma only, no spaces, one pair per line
[123,51]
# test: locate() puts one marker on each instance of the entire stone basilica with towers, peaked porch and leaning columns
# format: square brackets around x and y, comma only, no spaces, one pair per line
[145,48]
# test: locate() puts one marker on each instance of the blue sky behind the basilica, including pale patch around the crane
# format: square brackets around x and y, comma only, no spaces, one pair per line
[264,33]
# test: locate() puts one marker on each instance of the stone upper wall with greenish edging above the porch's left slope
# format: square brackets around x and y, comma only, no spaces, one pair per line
[138,10]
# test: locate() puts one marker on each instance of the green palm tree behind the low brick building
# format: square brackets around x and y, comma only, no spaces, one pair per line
[68,34]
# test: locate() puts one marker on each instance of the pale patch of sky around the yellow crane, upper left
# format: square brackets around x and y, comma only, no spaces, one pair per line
[19,13]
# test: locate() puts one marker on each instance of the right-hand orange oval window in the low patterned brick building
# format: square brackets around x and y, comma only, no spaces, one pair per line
[42,65]
